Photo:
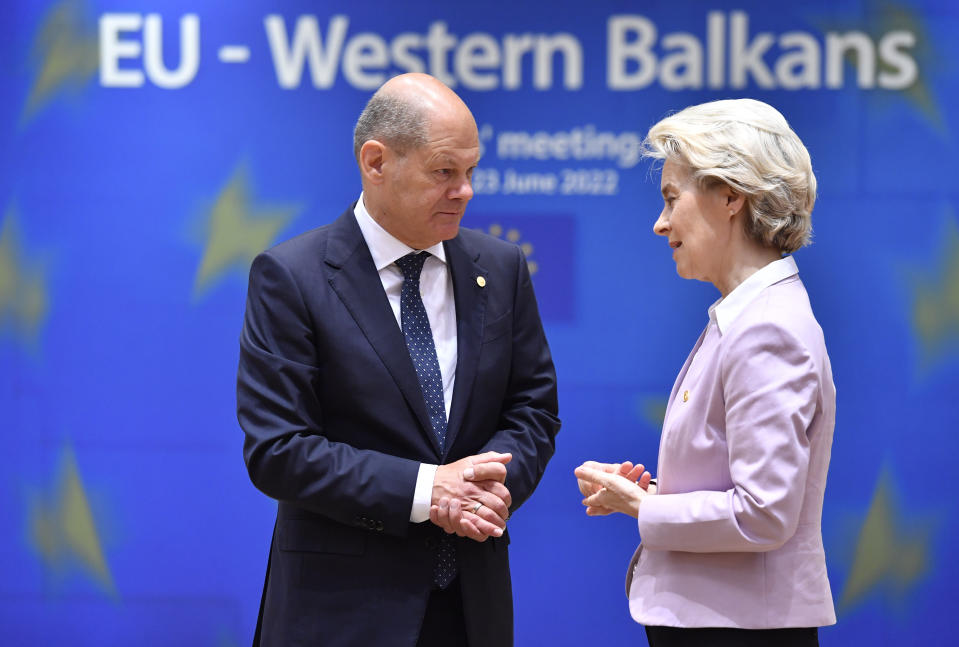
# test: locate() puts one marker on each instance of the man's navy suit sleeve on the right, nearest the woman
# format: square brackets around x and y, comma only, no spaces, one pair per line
[529,418]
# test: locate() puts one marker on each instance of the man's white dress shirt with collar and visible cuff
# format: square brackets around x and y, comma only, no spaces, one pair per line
[436,290]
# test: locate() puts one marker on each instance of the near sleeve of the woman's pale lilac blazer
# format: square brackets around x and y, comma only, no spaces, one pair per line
[771,389]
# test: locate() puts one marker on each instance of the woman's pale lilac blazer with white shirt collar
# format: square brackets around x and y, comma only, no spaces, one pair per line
[733,537]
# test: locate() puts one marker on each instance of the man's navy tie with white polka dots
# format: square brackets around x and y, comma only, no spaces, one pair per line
[419,341]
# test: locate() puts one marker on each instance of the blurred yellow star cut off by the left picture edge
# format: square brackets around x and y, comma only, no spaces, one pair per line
[24,300]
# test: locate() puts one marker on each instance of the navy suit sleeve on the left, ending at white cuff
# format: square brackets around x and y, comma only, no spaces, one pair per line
[287,455]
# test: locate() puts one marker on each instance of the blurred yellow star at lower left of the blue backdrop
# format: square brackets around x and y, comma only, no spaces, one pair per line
[63,531]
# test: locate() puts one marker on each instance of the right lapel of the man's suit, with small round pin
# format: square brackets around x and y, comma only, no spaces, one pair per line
[470,299]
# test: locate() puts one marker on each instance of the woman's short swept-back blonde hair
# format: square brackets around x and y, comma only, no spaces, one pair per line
[749,146]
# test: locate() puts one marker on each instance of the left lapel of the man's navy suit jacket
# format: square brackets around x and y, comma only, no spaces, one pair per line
[358,286]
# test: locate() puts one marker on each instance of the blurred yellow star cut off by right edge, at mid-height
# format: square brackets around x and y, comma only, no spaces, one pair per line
[935,301]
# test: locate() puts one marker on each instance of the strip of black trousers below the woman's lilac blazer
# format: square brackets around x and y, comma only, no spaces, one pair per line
[725,637]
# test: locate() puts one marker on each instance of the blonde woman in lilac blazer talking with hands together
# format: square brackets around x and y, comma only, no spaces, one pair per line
[731,550]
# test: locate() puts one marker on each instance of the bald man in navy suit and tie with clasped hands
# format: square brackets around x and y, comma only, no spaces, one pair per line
[398,397]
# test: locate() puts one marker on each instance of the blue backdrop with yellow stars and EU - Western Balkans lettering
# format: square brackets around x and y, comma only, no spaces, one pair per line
[149,149]
